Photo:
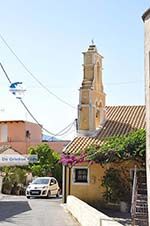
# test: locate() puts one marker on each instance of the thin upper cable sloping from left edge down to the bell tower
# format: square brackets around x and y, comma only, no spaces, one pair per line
[33,76]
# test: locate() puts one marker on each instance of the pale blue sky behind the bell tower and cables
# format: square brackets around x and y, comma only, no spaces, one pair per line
[50,36]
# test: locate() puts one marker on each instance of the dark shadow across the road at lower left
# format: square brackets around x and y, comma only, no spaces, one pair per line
[10,208]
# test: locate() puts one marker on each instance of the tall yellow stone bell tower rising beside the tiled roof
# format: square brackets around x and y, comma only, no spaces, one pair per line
[91,108]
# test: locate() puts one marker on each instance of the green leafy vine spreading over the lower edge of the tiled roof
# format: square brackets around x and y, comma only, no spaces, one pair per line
[113,149]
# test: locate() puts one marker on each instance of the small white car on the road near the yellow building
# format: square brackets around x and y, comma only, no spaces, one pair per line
[43,187]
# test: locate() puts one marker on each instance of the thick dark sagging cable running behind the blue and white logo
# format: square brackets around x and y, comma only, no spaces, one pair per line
[27,109]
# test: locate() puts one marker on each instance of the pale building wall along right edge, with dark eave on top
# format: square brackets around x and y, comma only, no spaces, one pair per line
[146,20]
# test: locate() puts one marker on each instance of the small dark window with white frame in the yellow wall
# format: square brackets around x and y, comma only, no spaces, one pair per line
[80,175]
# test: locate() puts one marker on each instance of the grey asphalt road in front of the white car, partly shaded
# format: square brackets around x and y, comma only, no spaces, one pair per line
[19,211]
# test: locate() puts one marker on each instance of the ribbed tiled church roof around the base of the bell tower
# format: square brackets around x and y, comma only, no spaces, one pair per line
[120,120]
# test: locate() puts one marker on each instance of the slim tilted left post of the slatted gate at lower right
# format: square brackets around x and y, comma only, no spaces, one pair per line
[134,191]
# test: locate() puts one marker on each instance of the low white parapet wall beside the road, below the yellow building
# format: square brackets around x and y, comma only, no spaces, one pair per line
[87,215]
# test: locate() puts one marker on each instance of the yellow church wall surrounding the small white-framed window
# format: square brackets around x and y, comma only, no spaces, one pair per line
[93,191]
